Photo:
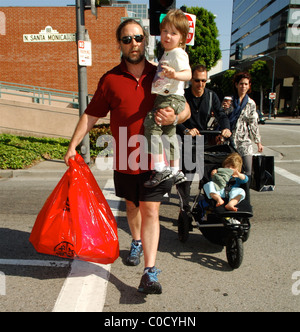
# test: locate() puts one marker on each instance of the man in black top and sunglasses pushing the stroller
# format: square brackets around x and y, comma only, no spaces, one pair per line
[203,103]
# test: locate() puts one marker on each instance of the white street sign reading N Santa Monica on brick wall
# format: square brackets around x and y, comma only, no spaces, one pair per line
[49,35]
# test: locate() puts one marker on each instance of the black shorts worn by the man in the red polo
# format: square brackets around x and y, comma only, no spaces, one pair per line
[131,187]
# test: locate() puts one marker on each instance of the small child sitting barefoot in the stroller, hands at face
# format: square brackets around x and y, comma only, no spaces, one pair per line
[216,189]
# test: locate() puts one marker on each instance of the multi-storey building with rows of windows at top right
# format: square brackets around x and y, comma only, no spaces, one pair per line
[271,28]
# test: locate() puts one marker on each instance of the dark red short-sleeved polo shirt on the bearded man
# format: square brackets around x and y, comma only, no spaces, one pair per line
[129,101]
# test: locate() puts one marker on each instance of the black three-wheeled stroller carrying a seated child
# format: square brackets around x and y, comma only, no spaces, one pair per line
[219,226]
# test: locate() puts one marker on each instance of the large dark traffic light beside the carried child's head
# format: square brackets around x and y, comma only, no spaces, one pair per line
[157,8]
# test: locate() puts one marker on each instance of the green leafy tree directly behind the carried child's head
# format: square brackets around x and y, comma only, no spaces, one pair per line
[207,46]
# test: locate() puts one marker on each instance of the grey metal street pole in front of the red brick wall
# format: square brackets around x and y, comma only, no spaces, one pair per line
[82,79]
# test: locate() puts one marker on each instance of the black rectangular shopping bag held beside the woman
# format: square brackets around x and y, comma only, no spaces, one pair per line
[263,174]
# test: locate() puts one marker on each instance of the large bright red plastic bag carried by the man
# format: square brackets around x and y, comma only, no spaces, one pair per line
[76,221]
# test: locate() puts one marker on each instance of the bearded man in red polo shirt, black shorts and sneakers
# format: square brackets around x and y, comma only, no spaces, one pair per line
[125,91]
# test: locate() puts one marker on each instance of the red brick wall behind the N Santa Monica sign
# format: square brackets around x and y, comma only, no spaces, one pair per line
[54,65]
